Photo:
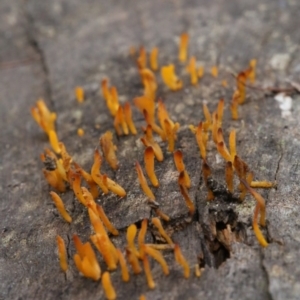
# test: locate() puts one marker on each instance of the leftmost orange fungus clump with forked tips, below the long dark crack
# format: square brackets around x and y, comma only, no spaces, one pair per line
[43,116]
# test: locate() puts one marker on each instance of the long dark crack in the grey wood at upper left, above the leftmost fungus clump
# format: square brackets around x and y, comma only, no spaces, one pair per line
[35,45]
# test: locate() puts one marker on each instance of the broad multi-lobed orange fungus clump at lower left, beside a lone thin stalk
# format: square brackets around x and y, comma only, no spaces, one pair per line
[85,260]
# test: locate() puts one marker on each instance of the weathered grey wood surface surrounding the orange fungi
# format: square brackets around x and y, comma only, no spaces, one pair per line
[48,47]
